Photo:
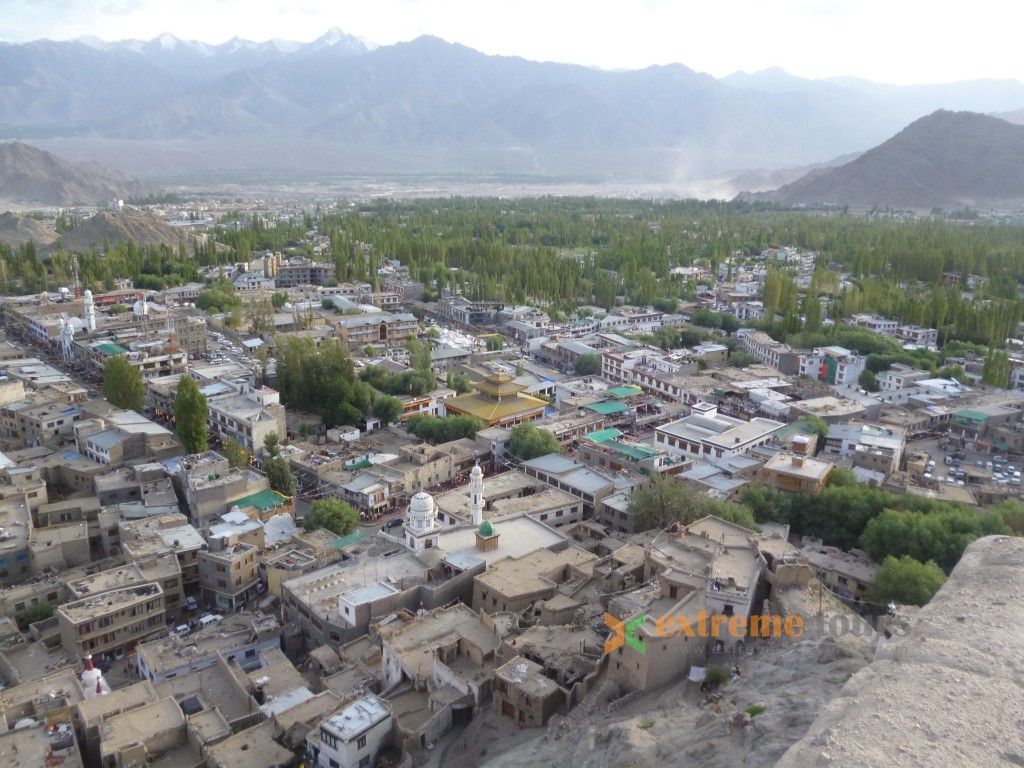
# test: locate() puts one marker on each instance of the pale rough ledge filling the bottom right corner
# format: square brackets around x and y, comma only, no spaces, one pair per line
[952,693]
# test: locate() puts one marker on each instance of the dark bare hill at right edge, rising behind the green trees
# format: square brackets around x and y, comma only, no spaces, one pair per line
[947,160]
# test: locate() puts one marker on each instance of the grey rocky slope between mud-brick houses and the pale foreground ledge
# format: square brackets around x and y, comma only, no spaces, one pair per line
[792,679]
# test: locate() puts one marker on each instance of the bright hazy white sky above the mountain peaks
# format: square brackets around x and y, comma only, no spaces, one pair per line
[892,41]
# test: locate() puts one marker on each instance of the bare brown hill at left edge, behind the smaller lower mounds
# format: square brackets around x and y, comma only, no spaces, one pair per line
[29,175]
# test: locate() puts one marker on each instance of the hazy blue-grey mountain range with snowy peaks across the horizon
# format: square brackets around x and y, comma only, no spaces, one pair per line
[342,106]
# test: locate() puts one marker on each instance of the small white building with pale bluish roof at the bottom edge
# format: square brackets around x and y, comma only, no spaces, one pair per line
[354,737]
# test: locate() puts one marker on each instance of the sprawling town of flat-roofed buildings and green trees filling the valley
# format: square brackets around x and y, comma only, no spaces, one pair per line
[324,486]
